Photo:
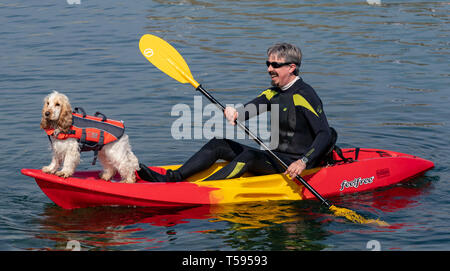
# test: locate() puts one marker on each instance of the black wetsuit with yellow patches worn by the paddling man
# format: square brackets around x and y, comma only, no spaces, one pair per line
[303,132]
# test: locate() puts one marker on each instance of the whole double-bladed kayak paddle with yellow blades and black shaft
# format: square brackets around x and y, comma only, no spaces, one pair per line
[166,58]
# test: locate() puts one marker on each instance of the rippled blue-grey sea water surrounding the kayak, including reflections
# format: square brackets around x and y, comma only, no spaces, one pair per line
[382,72]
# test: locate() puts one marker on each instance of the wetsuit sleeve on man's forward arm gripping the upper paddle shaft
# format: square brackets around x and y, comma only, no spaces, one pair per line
[256,106]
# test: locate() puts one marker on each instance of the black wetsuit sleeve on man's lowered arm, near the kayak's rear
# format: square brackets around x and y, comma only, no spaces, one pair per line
[319,125]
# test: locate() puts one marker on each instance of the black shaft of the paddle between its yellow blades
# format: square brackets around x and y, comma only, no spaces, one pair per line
[261,143]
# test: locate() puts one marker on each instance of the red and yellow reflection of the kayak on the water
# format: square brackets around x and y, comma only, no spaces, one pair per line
[257,226]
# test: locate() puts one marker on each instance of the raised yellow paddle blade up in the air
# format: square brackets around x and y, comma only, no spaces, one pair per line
[166,58]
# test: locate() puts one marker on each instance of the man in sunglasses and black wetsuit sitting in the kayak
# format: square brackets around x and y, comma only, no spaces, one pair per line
[304,134]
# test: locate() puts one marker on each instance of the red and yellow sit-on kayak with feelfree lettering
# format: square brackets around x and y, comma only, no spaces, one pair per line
[368,169]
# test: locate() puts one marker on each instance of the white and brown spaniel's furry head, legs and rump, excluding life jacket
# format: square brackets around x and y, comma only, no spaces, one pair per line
[115,157]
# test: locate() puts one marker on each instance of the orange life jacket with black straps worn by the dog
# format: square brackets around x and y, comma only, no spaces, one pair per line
[91,132]
